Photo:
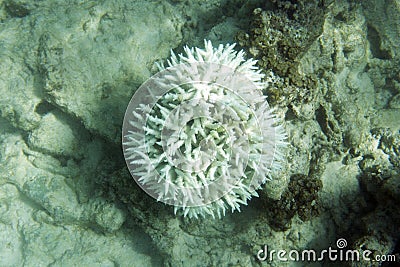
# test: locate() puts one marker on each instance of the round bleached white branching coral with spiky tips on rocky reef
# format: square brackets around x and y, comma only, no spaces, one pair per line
[200,135]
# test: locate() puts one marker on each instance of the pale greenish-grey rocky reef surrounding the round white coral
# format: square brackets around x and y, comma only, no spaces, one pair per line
[69,68]
